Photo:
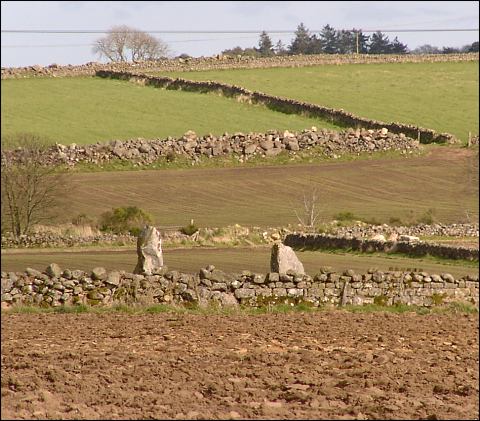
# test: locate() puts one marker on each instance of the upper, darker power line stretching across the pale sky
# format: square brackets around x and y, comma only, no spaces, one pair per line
[88,31]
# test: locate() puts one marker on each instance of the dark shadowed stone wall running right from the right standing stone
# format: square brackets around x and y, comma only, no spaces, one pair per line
[323,241]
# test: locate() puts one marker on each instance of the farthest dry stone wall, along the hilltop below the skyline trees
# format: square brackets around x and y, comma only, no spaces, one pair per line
[227,62]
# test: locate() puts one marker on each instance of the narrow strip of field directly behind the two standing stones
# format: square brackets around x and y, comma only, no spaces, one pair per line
[229,260]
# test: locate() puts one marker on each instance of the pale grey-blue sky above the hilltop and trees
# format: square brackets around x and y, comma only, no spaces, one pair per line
[26,49]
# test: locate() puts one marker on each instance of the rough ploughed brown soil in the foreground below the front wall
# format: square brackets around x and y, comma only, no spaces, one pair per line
[328,365]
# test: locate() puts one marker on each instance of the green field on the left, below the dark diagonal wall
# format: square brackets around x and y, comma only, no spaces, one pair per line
[87,110]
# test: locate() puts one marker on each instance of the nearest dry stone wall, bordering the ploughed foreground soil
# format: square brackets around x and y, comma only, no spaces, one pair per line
[55,287]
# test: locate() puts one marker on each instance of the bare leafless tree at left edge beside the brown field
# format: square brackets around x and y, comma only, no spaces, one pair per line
[31,191]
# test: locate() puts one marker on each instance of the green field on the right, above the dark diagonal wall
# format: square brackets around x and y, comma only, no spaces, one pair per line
[439,96]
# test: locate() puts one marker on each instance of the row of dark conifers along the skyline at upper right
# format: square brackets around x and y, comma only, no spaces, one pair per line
[332,41]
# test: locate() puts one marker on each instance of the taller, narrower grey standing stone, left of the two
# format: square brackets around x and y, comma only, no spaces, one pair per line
[149,251]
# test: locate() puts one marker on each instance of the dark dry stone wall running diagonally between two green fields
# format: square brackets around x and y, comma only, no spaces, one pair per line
[286,105]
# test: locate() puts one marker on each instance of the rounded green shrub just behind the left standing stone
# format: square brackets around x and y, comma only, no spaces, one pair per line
[124,220]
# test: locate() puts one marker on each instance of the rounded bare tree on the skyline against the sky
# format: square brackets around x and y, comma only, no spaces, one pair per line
[123,43]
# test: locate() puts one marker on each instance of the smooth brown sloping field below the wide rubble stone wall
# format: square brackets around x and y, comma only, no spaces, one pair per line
[268,195]
